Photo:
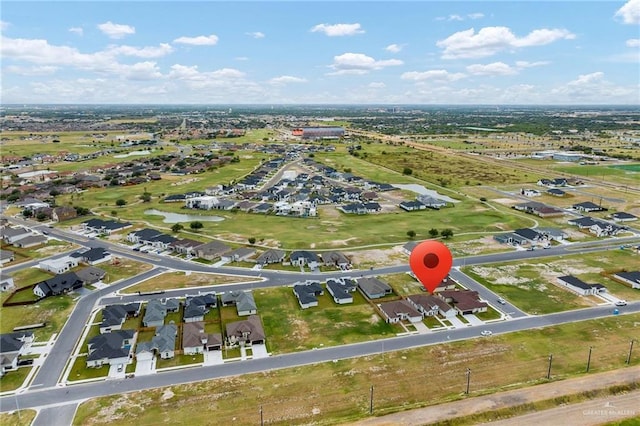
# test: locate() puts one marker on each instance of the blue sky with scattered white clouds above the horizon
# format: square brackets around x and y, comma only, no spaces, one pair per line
[329,52]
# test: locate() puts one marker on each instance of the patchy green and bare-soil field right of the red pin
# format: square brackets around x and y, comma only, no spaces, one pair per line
[532,285]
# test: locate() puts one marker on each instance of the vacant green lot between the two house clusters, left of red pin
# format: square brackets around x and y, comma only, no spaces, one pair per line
[290,328]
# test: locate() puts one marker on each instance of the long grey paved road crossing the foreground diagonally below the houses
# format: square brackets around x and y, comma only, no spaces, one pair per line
[59,395]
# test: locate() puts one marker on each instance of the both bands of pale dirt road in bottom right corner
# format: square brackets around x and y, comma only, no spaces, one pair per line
[592,412]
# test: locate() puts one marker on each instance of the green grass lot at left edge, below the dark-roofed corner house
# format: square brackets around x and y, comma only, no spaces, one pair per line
[53,310]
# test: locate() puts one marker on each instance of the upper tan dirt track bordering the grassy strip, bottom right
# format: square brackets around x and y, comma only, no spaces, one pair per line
[480,404]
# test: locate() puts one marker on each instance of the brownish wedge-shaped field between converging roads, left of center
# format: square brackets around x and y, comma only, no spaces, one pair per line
[174,280]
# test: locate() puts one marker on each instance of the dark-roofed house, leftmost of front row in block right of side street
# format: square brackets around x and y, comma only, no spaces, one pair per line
[113,348]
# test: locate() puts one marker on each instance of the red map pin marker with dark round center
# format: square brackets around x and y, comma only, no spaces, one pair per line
[430,261]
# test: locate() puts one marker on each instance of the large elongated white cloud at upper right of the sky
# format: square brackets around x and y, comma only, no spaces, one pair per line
[490,40]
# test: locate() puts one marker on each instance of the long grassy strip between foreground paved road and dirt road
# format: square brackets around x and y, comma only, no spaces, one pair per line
[337,392]
